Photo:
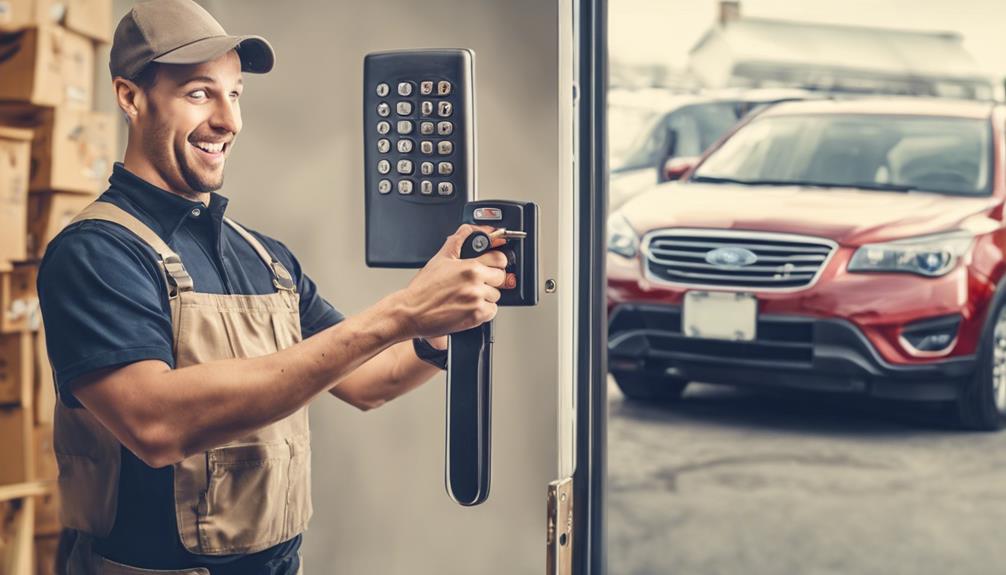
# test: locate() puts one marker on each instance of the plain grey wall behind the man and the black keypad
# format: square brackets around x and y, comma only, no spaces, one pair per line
[296,174]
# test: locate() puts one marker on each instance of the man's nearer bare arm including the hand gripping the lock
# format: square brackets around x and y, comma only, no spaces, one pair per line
[164,416]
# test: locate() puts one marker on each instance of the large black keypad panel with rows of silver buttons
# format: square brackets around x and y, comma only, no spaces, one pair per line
[419,152]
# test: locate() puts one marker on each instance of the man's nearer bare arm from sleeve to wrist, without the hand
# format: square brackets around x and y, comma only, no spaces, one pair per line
[164,416]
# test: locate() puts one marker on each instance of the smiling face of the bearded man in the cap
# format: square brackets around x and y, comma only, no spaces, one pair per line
[192,121]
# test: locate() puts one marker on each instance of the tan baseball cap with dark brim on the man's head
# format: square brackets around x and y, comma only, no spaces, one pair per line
[180,33]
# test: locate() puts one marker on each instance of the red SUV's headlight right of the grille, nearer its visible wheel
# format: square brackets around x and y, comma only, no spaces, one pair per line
[929,256]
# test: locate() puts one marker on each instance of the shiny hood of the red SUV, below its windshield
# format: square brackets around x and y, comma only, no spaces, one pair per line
[844,215]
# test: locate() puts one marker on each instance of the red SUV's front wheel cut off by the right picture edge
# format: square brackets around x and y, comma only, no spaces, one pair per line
[982,406]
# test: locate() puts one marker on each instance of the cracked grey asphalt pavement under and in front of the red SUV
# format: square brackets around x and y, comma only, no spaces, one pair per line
[744,482]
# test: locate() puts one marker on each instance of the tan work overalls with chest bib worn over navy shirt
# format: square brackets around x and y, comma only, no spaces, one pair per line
[240,498]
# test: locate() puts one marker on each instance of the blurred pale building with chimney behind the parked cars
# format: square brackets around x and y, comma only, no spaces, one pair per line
[756,53]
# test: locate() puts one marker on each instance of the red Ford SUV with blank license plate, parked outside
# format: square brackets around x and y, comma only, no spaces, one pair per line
[846,247]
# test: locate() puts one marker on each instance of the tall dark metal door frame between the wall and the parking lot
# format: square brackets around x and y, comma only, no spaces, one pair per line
[590,535]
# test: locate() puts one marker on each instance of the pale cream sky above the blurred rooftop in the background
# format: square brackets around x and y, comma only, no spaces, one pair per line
[662,32]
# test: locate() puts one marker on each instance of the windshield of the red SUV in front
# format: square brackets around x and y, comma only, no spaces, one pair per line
[900,153]
